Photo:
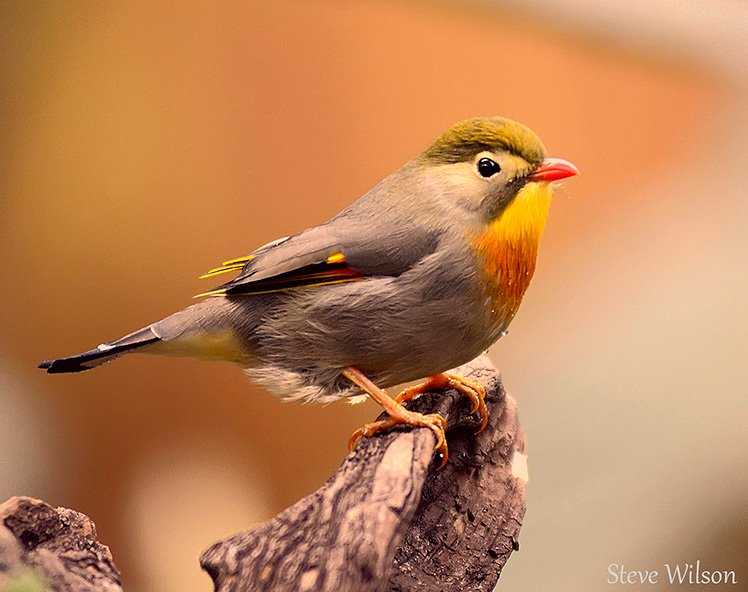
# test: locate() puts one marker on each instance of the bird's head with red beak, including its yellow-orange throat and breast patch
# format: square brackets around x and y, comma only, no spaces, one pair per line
[496,171]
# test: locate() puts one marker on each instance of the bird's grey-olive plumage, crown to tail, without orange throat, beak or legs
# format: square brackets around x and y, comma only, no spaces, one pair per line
[414,302]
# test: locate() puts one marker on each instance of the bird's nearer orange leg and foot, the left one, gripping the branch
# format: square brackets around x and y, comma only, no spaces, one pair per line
[398,415]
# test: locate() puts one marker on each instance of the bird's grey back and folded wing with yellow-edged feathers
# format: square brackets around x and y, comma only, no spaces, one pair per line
[384,233]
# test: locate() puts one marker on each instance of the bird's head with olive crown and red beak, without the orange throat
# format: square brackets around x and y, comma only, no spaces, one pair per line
[486,162]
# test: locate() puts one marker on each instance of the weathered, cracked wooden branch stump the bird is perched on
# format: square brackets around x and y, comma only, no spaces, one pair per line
[390,519]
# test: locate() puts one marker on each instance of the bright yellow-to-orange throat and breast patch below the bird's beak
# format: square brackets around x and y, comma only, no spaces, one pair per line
[508,248]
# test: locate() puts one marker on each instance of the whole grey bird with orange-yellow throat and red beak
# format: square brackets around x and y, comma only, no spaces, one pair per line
[444,247]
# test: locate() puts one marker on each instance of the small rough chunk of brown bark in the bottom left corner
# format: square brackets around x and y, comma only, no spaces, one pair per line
[46,548]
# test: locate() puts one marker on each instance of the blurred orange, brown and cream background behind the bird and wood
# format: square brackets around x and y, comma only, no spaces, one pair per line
[144,142]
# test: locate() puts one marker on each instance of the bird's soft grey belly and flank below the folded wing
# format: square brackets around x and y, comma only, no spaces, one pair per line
[392,332]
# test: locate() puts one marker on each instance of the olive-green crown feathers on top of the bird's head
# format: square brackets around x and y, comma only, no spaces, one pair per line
[467,138]
